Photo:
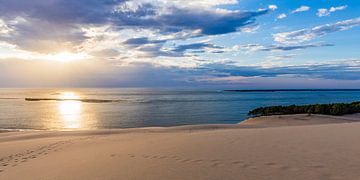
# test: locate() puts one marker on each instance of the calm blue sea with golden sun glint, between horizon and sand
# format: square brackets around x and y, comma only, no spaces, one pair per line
[84,109]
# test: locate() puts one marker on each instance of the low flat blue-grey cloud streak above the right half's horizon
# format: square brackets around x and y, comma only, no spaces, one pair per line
[338,70]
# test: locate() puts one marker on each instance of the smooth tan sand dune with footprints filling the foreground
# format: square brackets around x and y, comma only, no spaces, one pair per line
[252,150]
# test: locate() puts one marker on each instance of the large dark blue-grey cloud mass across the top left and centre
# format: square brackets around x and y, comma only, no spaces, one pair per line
[59,25]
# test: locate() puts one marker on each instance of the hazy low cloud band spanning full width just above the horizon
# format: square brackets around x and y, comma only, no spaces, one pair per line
[48,74]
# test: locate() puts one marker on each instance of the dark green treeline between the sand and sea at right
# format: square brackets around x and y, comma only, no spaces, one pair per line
[336,109]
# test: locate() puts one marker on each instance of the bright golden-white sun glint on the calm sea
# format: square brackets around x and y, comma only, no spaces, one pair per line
[70,110]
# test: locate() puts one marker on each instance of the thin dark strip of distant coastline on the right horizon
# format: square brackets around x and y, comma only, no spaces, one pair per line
[289,90]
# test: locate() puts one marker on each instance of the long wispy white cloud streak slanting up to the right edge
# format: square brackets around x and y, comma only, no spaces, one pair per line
[318,31]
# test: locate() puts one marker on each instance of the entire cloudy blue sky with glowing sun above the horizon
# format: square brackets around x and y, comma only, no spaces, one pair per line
[242,44]
